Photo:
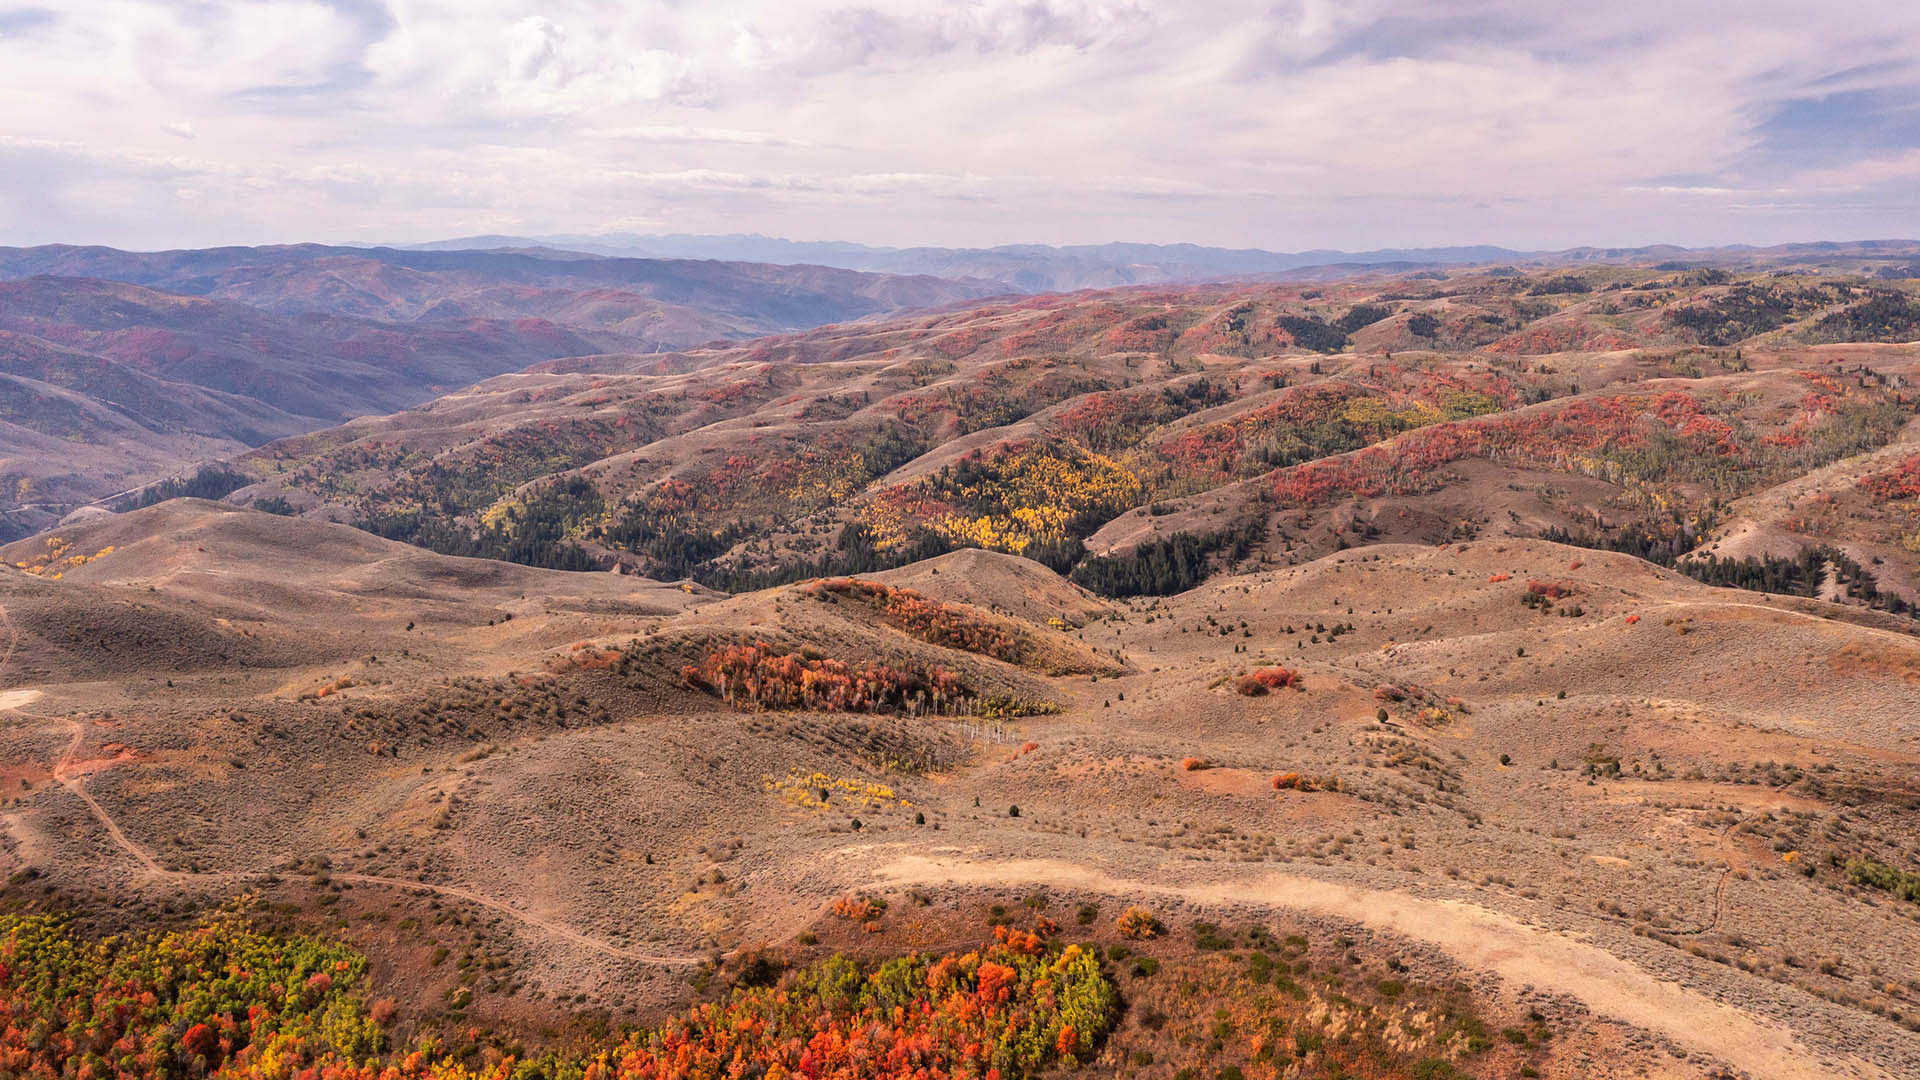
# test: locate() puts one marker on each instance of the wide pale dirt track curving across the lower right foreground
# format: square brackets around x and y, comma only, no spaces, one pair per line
[1476,937]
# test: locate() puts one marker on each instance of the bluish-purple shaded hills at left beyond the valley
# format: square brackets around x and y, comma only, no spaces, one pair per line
[118,368]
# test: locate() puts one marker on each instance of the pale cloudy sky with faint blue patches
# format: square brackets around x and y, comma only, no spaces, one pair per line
[1285,126]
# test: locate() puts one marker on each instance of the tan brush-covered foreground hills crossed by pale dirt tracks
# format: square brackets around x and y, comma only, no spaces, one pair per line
[1543,781]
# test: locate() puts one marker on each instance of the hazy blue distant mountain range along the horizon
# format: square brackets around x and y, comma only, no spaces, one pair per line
[1040,268]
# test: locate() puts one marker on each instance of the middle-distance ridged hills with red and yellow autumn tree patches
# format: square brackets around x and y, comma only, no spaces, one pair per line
[1143,439]
